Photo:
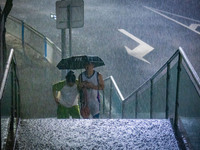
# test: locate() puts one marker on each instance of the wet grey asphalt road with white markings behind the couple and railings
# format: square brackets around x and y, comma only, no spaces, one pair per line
[110,26]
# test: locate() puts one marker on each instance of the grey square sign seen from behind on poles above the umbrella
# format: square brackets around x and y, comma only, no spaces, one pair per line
[69,14]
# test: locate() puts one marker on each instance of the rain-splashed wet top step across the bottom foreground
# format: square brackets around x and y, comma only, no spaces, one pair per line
[102,134]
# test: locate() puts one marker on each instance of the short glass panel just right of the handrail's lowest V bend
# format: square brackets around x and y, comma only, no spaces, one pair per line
[129,110]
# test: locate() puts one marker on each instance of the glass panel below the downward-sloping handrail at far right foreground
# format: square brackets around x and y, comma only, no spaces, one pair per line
[189,112]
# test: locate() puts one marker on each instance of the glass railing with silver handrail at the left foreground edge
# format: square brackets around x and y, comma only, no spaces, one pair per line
[9,103]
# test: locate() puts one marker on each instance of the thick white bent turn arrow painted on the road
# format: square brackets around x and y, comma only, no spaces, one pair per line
[141,50]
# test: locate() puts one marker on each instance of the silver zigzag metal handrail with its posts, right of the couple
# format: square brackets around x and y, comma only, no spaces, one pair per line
[182,56]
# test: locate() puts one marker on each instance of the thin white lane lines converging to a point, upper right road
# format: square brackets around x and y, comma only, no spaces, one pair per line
[158,12]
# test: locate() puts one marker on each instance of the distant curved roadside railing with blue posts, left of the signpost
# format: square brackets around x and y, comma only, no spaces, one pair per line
[34,39]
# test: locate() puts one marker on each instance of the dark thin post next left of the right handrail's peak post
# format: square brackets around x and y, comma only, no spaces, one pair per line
[167,92]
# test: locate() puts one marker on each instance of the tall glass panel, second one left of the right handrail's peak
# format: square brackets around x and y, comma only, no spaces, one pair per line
[159,95]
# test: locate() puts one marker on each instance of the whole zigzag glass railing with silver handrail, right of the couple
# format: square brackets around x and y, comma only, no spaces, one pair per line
[172,92]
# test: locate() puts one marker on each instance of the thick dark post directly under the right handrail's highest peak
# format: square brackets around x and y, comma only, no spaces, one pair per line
[177,90]
